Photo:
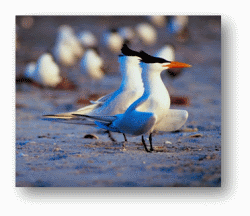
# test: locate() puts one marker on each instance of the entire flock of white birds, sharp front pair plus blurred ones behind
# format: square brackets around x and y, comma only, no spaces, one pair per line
[142,103]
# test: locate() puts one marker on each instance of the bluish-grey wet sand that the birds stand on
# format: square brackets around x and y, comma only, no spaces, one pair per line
[50,154]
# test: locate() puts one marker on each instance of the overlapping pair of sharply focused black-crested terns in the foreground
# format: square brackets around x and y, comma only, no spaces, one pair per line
[140,106]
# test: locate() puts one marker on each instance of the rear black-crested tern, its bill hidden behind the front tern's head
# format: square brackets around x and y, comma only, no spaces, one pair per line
[131,89]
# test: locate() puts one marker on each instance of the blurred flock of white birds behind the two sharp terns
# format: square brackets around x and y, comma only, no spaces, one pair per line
[70,49]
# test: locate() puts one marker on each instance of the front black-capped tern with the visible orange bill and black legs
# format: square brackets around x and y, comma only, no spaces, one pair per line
[151,111]
